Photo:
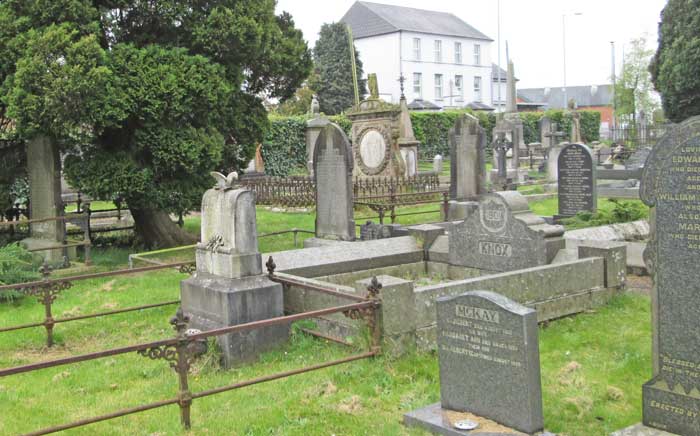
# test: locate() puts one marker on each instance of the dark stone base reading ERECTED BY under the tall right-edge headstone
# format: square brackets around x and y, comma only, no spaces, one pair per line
[673,410]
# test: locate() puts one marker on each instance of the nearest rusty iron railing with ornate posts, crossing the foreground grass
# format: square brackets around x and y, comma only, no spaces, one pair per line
[181,351]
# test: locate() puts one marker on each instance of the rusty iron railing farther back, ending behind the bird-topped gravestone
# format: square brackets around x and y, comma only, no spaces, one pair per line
[47,290]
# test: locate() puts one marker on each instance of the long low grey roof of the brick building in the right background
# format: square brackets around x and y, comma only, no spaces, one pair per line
[553,98]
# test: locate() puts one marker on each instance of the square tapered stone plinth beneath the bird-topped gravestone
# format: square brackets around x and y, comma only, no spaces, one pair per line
[214,302]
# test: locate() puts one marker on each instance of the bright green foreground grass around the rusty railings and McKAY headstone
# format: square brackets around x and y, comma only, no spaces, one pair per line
[593,366]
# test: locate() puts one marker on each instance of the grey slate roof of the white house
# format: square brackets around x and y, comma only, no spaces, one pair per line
[370,19]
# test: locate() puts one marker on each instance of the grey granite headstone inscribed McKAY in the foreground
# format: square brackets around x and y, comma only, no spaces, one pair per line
[489,359]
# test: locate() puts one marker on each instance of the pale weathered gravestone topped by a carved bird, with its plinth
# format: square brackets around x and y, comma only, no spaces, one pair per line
[228,287]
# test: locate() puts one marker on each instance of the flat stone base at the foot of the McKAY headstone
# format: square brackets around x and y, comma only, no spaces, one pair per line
[441,421]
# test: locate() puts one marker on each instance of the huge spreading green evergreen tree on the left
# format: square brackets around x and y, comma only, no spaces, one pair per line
[147,96]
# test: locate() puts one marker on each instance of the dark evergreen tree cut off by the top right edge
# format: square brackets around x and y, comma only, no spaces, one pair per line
[675,69]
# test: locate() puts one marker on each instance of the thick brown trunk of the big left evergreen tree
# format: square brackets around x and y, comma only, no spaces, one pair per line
[157,230]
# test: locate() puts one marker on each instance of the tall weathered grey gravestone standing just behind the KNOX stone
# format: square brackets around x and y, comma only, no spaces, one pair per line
[468,166]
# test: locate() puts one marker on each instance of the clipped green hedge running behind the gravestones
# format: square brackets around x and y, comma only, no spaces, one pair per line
[284,147]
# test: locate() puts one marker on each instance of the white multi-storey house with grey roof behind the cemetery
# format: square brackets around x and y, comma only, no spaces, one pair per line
[445,61]
